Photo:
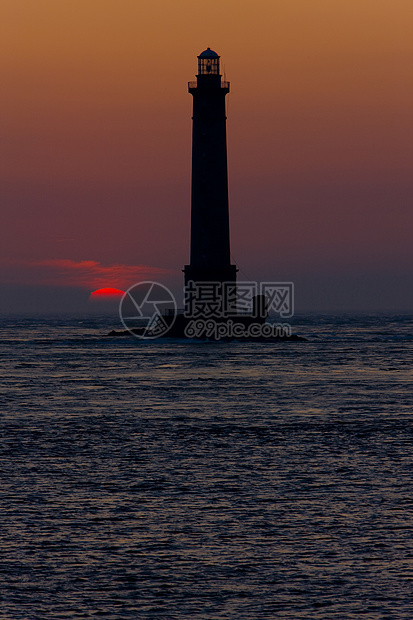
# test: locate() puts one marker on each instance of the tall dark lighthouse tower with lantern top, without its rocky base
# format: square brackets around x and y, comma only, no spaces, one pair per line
[210,246]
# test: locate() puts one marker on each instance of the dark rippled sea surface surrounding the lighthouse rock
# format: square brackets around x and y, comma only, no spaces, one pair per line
[202,480]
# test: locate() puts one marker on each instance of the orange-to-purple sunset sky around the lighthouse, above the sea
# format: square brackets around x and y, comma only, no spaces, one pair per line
[96,146]
